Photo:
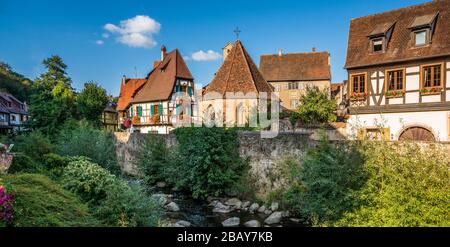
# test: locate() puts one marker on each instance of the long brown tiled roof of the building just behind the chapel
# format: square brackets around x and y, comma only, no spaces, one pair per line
[296,66]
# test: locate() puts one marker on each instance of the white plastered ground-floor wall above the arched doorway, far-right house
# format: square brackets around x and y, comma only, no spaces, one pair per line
[436,121]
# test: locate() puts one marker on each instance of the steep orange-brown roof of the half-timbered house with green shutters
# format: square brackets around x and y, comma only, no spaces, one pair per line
[162,79]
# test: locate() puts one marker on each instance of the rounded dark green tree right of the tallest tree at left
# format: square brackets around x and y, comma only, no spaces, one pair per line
[91,102]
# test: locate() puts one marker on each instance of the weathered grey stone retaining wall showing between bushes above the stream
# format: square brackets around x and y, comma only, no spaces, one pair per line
[264,155]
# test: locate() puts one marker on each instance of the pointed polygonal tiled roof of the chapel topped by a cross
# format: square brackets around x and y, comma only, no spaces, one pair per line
[238,73]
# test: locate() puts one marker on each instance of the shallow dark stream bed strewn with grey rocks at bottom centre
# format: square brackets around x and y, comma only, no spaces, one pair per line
[181,210]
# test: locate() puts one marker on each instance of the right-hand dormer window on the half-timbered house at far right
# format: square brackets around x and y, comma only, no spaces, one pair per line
[422,29]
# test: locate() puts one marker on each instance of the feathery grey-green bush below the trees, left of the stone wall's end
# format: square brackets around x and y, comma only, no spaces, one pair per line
[81,139]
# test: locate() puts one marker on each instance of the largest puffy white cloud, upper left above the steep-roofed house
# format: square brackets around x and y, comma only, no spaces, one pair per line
[136,32]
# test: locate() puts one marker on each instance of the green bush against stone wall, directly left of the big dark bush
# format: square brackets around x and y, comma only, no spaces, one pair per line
[153,158]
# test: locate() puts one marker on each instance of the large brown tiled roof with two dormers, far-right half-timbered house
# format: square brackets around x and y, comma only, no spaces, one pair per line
[400,46]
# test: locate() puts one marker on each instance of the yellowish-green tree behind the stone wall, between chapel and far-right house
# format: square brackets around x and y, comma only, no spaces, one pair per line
[315,107]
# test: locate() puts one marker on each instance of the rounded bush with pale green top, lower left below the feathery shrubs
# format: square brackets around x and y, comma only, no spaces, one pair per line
[89,180]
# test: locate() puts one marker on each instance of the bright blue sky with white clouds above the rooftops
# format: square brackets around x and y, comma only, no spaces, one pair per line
[33,30]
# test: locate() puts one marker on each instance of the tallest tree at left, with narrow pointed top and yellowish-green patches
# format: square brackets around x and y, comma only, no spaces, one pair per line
[53,98]
